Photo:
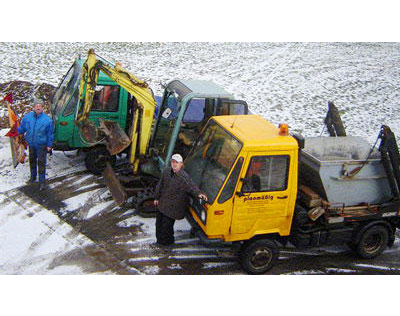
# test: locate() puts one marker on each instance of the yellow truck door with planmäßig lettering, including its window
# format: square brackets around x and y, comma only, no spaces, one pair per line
[263,200]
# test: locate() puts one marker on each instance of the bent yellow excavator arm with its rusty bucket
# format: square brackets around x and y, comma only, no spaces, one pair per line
[141,125]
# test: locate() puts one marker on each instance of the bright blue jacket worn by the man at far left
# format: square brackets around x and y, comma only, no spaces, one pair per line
[38,129]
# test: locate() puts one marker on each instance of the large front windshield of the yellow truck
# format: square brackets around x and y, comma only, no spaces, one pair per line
[211,159]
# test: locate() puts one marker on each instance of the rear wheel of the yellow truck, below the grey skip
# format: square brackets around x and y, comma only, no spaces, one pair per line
[373,242]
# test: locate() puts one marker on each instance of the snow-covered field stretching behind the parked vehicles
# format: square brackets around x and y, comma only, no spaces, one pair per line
[284,82]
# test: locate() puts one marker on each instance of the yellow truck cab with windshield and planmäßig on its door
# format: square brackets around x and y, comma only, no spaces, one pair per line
[248,169]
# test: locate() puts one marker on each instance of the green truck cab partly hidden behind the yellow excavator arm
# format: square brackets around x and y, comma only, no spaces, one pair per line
[110,103]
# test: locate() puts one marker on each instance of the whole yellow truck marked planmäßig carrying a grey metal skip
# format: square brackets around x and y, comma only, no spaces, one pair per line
[267,188]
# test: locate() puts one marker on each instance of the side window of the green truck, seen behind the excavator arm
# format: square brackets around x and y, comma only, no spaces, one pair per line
[106,99]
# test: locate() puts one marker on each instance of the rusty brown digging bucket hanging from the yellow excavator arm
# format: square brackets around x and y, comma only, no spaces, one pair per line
[116,139]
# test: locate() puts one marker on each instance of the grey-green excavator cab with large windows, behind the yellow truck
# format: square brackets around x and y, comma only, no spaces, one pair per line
[186,107]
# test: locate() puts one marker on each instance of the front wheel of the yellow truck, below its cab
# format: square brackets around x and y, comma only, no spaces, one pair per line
[259,256]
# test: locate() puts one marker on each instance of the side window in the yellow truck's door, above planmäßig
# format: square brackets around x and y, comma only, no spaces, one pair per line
[267,173]
